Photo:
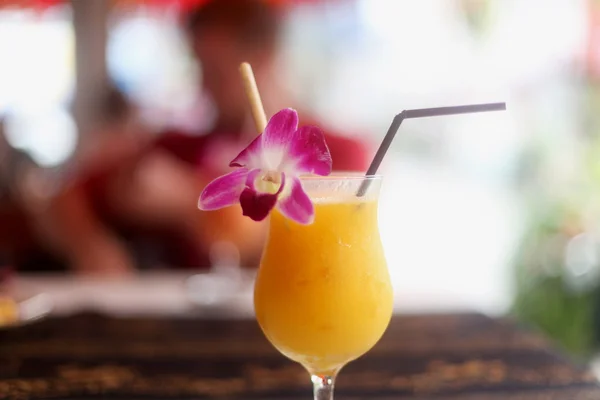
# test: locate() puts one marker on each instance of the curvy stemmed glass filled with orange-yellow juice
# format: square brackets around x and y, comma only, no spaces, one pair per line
[323,295]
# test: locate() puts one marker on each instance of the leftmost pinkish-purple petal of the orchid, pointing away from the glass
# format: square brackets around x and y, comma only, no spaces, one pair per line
[223,191]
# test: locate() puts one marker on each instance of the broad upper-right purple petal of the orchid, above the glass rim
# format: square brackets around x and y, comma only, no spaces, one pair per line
[308,153]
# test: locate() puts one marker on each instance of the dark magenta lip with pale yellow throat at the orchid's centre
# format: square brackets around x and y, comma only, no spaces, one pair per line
[258,204]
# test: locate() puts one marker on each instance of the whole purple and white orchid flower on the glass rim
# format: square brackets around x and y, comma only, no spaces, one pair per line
[269,169]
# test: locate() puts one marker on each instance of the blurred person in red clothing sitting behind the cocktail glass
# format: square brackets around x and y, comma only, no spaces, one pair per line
[145,200]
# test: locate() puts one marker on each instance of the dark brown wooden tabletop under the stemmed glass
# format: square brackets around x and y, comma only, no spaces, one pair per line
[442,357]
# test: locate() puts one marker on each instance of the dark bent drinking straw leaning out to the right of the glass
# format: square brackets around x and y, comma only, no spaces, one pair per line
[419,113]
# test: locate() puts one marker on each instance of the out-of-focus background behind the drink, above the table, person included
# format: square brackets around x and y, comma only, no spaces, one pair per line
[114,115]
